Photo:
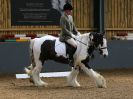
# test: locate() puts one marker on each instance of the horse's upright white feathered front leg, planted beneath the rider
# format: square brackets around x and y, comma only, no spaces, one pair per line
[72,78]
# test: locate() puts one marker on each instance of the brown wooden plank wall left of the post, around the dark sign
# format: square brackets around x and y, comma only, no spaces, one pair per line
[81,14]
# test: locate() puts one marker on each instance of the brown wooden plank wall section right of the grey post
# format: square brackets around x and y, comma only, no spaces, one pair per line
[118,16]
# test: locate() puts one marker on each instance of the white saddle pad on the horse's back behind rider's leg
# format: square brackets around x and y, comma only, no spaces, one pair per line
[60,48]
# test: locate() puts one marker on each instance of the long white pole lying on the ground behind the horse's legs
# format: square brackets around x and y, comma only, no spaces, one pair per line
[53,74]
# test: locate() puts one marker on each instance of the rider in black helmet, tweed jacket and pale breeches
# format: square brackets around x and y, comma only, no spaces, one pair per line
[68,29]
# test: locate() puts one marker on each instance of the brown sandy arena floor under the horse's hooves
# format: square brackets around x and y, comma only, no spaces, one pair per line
[119,86]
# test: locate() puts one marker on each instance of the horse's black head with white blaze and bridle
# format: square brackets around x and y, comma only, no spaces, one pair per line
[99,42]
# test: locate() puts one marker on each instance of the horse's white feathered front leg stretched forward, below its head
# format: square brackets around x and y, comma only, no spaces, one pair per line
[99,79]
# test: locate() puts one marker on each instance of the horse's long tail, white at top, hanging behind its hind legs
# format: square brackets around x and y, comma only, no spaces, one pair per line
[29,69]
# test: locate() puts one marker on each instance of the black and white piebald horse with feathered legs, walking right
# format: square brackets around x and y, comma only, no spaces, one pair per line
[50,48]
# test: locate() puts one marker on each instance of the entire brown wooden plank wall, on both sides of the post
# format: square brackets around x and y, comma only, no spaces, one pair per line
[118,18]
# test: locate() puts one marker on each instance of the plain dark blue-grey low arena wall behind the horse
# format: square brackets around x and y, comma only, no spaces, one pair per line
[15,56]
